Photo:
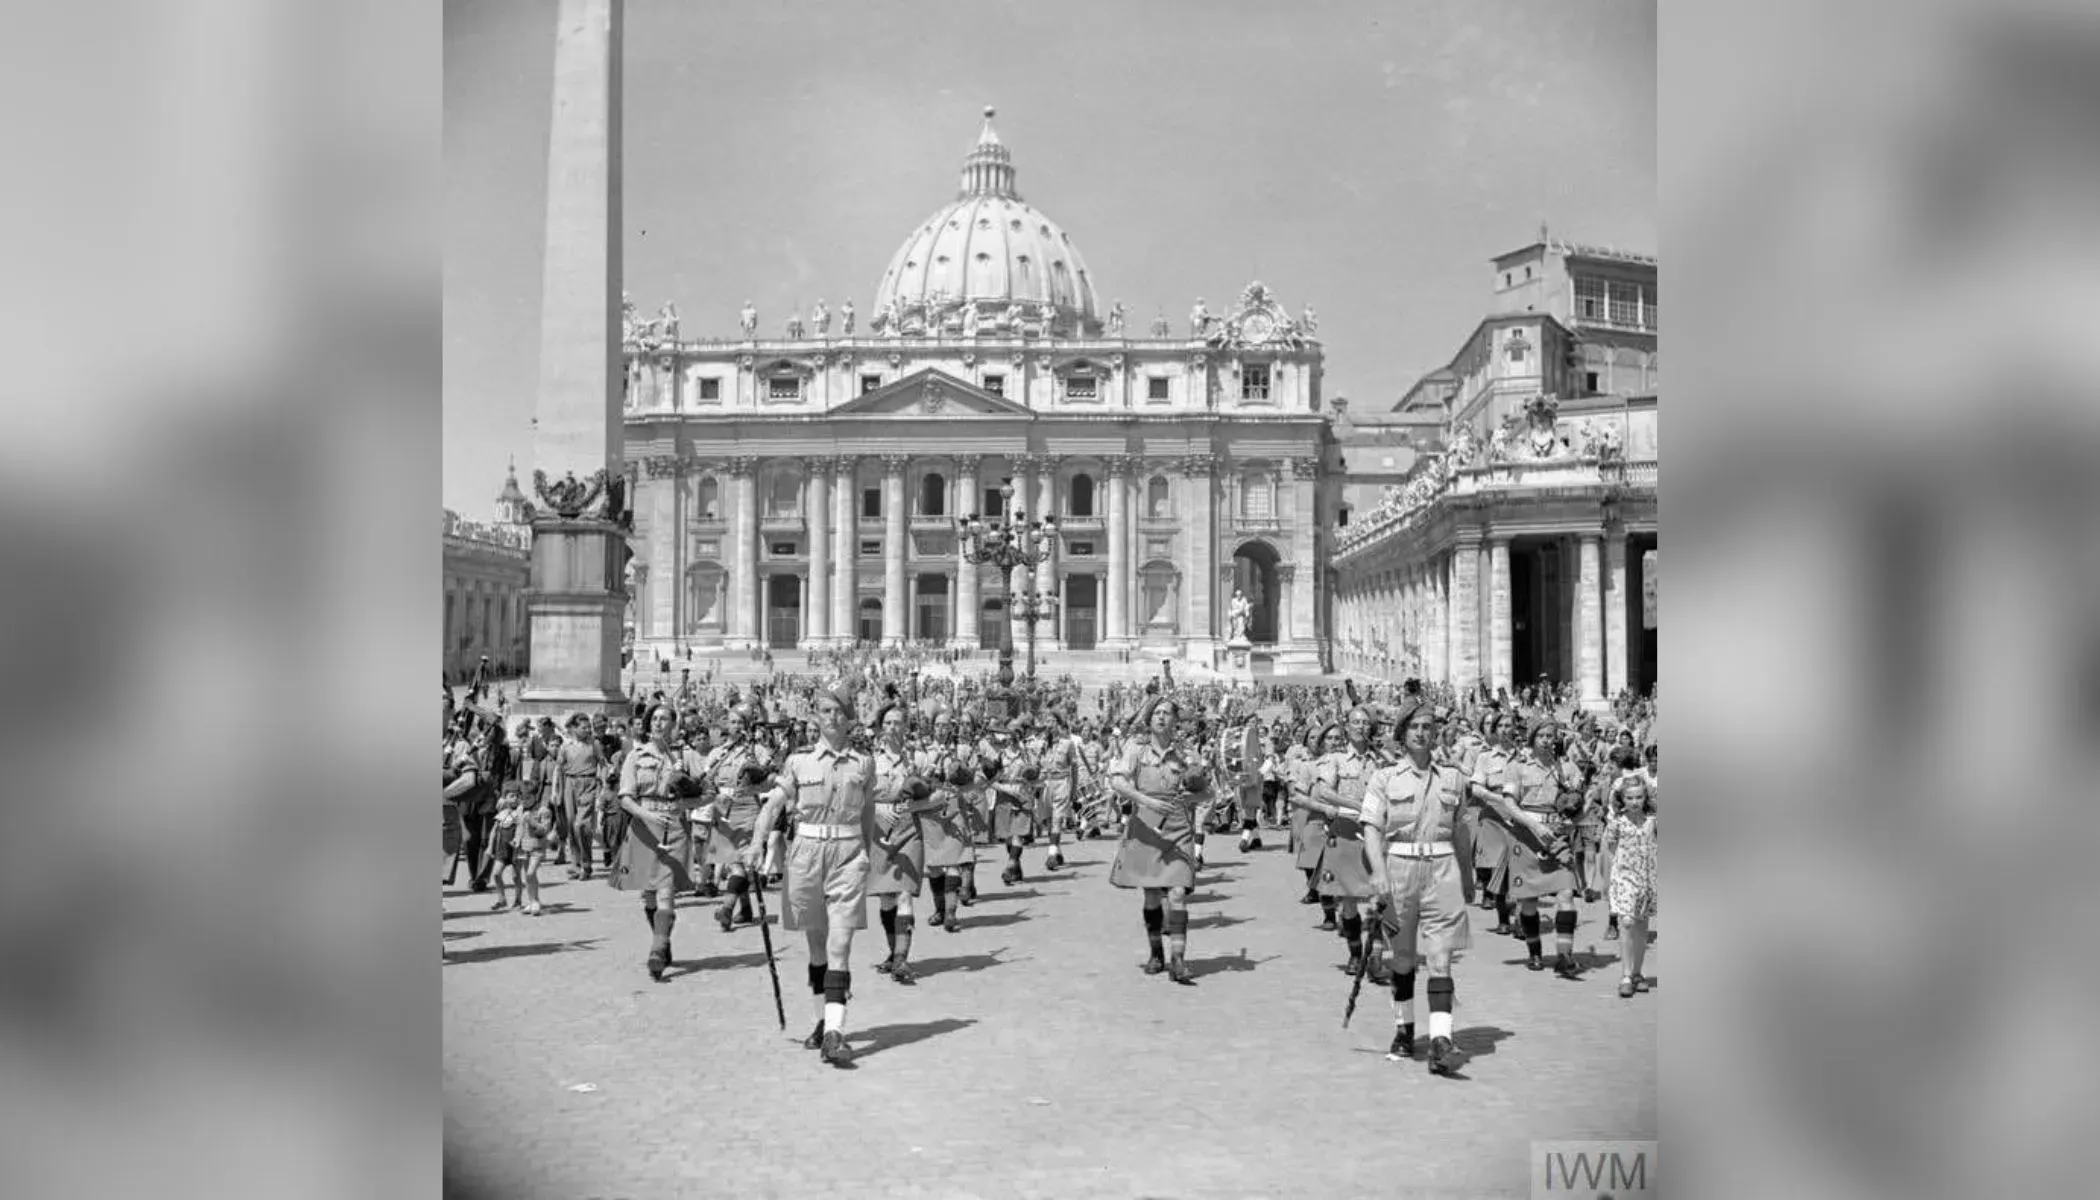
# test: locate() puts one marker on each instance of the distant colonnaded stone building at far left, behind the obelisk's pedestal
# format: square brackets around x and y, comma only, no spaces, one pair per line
[486,571]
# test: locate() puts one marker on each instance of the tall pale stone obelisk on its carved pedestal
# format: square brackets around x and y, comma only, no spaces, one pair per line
[579,558]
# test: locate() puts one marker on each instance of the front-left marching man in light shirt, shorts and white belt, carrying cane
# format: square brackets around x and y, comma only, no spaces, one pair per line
[828,791]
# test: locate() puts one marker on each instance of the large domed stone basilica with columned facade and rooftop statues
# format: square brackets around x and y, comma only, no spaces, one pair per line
[803,491]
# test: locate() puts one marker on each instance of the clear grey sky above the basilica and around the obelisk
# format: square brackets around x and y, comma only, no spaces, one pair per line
[1360,159]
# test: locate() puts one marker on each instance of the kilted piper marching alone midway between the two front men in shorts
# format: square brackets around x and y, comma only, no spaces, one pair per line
[1158,852]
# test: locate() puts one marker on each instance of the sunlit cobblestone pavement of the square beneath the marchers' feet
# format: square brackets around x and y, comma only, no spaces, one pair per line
[1032,1058]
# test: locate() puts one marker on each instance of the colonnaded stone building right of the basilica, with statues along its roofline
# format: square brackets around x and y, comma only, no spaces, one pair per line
[1521,539]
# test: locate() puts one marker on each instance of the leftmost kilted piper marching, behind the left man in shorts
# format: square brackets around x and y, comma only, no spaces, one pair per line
[658,785]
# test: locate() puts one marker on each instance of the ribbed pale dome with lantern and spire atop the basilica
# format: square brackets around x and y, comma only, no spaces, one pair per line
[988,260]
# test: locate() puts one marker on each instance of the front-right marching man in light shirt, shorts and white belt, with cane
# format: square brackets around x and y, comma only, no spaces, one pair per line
[1414,831]
